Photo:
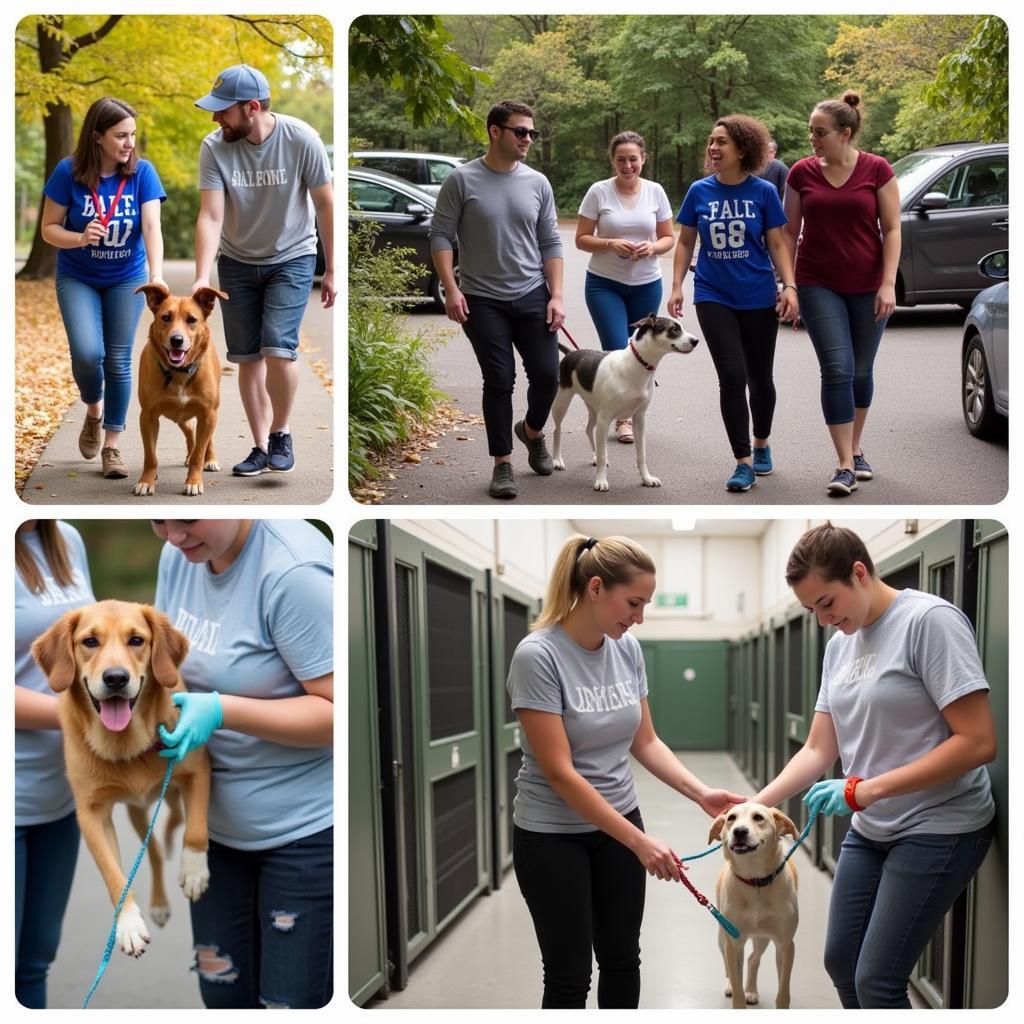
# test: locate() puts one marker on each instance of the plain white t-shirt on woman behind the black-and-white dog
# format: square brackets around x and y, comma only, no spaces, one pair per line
[604,204]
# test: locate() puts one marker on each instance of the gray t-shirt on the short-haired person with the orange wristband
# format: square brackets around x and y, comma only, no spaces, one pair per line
[885,689]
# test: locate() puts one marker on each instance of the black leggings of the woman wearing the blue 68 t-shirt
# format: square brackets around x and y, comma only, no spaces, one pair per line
[742,344]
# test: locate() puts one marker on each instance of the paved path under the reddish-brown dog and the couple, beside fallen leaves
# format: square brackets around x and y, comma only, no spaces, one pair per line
[62,477]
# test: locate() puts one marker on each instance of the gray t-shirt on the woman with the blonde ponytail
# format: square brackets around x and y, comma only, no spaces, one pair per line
[599,695]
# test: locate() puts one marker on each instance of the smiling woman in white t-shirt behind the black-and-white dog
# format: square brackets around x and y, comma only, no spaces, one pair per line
[626,224]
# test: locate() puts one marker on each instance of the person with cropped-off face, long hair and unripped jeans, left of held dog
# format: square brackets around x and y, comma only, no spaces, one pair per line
[53,578]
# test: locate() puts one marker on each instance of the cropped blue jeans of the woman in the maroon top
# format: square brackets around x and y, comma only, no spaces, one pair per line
[846,339]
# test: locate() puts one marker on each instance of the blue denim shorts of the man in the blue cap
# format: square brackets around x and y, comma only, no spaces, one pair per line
[266,305]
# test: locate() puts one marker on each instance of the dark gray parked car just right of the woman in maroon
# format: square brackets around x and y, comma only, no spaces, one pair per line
[955,205]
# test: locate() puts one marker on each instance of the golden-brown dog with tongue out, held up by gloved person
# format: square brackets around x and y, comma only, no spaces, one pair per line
[115,666]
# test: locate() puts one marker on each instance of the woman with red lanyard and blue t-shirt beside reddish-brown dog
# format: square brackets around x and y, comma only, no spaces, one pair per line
[103,212]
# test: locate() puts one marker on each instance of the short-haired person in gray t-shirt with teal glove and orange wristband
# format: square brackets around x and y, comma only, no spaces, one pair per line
[905,705]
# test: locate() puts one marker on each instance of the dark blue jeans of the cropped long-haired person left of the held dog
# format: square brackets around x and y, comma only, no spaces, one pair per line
[45,867]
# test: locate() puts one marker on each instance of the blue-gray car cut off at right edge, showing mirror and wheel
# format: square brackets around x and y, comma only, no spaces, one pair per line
[986,372]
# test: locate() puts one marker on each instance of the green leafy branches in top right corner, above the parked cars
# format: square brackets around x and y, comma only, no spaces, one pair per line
[975,82]
